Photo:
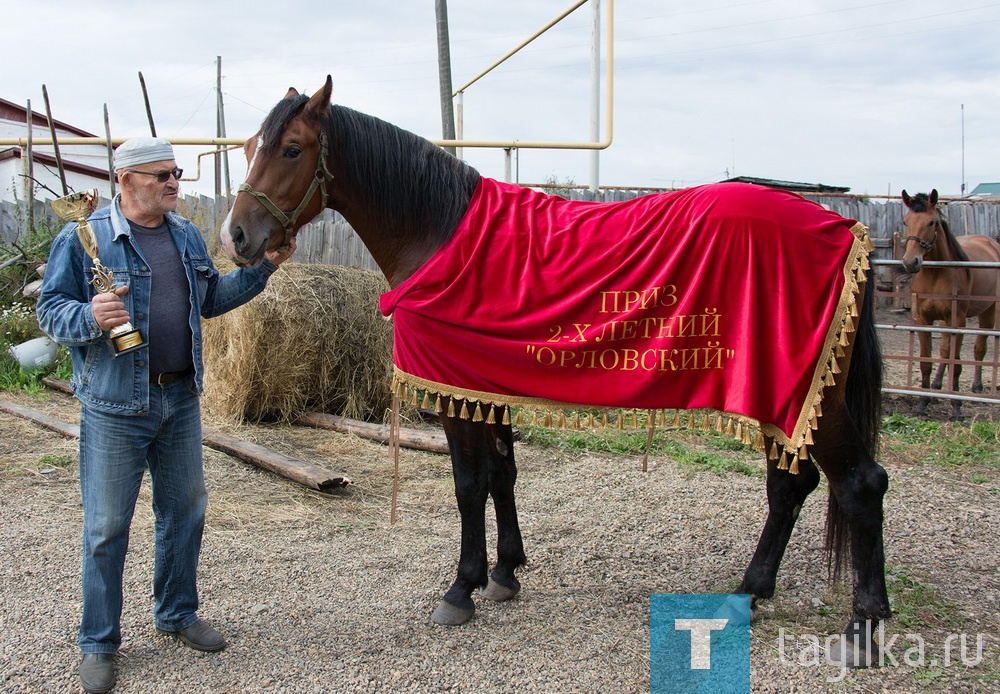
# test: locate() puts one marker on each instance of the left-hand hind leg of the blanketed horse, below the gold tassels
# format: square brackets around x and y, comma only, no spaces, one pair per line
[785,494]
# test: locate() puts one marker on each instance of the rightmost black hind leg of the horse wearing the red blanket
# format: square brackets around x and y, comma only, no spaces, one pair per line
[858,485]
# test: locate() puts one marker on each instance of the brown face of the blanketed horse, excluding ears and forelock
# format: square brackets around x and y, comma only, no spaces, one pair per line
[279,176]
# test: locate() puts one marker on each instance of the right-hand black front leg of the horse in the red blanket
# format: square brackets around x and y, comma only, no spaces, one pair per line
[503,584]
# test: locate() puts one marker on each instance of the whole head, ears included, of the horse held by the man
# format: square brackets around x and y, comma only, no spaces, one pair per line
[287,178]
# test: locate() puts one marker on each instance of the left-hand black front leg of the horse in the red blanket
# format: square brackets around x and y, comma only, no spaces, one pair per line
[467,444]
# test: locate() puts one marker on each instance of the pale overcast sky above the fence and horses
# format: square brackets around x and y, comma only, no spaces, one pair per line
[857,93]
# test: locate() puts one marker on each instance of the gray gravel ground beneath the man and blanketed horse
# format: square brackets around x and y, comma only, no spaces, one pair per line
[319,593]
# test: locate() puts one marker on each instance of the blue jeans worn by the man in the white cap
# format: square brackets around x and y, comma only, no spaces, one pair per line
[115,451]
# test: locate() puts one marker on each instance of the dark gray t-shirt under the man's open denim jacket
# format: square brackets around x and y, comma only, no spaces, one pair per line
[170,300]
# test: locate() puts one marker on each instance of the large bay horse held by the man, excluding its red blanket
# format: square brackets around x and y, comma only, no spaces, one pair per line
[404,197]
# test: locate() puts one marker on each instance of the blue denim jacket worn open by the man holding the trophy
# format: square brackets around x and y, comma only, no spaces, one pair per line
[121,384]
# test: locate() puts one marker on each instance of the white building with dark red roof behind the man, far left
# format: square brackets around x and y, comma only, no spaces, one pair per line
[85,166]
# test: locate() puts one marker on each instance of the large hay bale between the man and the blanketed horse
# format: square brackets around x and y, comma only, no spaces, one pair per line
[313,340]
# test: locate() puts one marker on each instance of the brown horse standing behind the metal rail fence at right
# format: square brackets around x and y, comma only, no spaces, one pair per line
[951,294]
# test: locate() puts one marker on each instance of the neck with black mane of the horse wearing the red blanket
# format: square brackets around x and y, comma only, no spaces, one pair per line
[404,197]
